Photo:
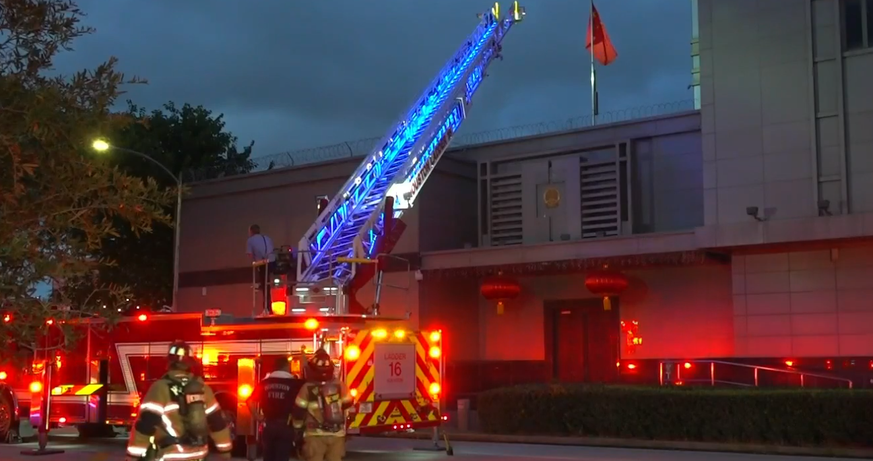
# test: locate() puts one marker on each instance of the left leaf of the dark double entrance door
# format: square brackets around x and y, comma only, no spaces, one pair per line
[570,345]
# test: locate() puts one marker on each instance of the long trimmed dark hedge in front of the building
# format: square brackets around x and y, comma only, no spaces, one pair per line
[763,416]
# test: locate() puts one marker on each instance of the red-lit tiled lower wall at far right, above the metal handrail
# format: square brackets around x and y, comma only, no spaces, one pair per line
[804,304]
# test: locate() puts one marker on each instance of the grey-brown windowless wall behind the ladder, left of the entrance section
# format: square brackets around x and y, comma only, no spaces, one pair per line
[216,216]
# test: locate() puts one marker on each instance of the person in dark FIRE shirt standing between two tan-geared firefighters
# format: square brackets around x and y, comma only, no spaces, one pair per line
[275,395]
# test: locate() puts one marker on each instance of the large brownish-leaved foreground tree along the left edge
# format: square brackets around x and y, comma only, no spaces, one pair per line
[58,203]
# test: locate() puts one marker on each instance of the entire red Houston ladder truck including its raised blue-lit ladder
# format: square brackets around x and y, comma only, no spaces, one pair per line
[394,371]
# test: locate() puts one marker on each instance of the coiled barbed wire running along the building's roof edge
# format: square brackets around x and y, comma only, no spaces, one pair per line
[362,147]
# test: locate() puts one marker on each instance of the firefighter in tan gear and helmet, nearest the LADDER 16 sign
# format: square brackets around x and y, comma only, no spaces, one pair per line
[324,399]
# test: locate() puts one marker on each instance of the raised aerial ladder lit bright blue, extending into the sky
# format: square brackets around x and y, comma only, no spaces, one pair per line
[402,161]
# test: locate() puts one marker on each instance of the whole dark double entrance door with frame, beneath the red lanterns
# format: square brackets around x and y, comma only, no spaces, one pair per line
[582,340]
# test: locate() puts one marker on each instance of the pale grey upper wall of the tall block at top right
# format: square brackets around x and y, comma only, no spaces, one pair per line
[782,110]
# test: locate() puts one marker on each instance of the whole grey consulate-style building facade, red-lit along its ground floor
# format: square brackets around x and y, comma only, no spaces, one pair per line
[744,229]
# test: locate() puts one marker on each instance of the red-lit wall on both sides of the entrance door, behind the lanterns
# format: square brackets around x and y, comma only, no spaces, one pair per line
[683,313]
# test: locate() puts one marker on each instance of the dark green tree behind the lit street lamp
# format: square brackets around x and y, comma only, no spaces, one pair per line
[181,139]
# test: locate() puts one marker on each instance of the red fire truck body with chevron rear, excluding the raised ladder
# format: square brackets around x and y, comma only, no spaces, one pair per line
[393,372]
